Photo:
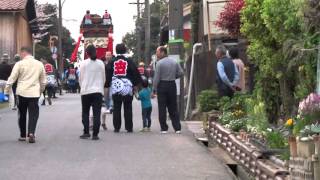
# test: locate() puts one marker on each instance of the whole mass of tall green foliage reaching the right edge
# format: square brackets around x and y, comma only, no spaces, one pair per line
[278,31]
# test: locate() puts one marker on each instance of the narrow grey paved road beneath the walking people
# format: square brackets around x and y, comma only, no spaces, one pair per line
[59,154]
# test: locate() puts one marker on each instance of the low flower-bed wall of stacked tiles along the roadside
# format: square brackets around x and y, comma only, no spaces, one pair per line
[245,153]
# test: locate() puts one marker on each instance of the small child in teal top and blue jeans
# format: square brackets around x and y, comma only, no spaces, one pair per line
[145,98]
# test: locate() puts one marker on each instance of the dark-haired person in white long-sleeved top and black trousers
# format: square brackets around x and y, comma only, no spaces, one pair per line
[92,81]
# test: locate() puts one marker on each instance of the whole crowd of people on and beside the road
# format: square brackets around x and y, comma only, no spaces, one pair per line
[111,84]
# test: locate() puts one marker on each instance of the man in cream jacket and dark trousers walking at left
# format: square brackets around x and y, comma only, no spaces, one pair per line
[31,77]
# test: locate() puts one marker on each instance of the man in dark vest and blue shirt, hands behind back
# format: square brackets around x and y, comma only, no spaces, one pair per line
[227,73]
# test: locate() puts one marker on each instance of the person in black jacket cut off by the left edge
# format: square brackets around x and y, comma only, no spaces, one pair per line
[5,71]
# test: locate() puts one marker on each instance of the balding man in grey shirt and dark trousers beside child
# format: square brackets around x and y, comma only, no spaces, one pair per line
[164,86]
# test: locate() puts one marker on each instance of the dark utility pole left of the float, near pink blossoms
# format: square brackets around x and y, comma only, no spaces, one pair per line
[60,53]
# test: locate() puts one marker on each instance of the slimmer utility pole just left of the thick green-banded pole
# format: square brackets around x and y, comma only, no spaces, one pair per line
[147,53]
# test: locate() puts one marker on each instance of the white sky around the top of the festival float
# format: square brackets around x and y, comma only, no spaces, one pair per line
[121,11]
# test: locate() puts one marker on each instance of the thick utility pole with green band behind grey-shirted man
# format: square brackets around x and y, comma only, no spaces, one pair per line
[176,43]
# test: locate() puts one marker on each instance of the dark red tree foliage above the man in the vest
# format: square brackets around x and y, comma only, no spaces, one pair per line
[229,18]
